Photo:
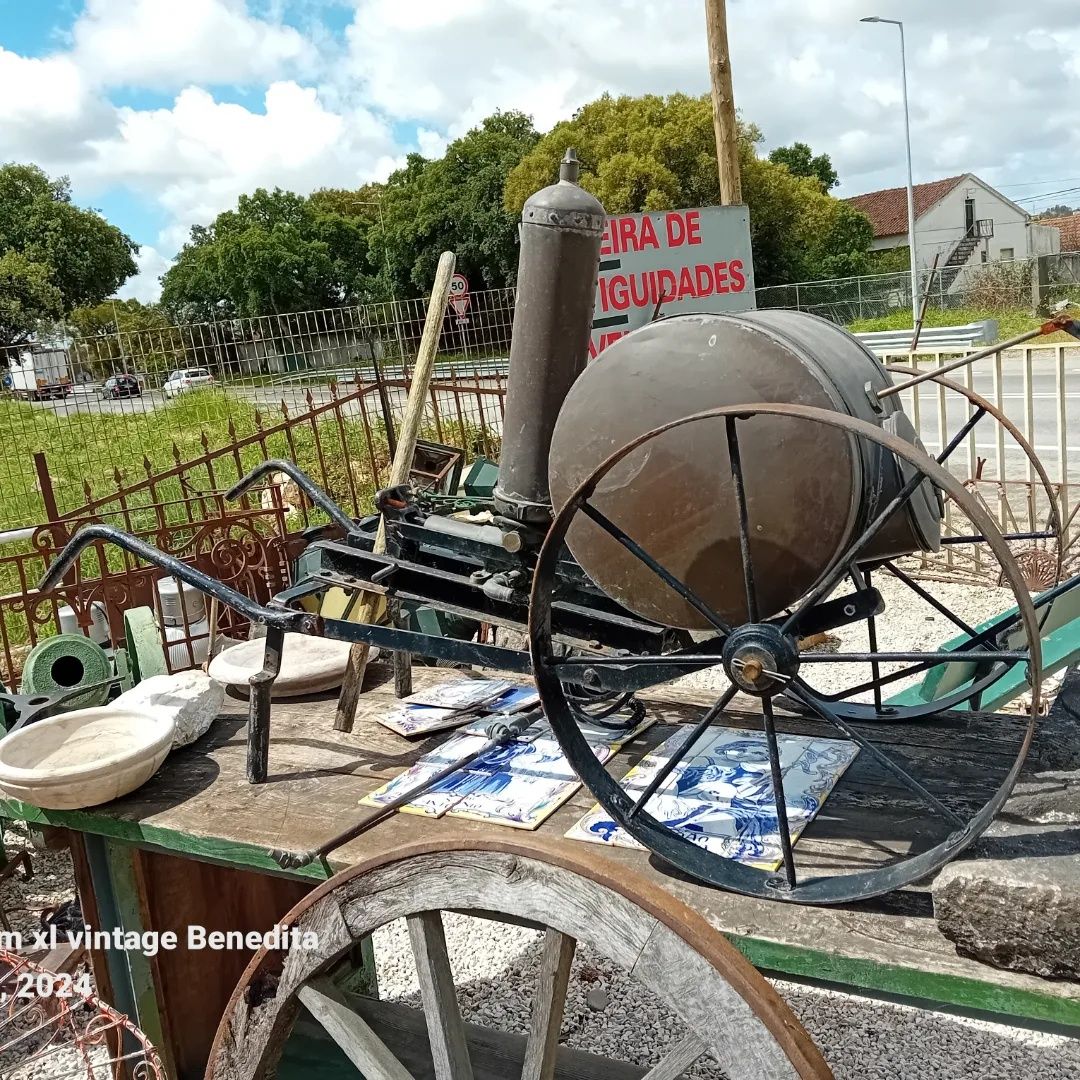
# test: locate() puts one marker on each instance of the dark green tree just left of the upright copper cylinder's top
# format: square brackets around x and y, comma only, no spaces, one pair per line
[454,204]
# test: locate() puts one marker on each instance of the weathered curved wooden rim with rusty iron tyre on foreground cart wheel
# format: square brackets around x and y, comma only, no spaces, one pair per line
[736,1016]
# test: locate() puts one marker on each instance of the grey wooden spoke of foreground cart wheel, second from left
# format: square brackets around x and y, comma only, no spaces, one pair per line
[445,1031]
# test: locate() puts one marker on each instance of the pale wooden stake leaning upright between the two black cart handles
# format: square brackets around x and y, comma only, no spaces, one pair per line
[408,436]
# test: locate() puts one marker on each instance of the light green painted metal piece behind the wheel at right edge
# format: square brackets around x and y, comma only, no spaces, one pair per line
[1061,649]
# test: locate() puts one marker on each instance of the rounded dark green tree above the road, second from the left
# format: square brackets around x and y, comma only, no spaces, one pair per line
[277,253]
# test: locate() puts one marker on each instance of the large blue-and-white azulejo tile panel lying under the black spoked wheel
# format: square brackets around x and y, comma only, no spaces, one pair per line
[721,795]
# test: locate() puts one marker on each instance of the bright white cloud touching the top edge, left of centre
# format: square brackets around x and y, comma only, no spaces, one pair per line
[168,44]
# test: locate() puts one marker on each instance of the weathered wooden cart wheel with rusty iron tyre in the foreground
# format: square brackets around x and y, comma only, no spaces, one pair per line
[728,1010]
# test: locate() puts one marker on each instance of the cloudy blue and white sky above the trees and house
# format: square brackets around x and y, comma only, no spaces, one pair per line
[163,112]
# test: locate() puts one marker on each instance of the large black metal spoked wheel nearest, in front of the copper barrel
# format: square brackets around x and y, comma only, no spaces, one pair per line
[758,651]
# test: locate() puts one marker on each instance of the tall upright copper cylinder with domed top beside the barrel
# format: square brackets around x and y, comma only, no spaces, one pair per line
[561,233]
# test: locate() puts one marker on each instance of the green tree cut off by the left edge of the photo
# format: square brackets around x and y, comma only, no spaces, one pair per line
[56,255]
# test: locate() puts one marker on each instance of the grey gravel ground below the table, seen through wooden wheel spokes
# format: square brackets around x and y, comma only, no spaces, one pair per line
[862,1039]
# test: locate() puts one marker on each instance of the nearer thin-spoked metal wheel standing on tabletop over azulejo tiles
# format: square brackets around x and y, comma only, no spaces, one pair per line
[761,658]
